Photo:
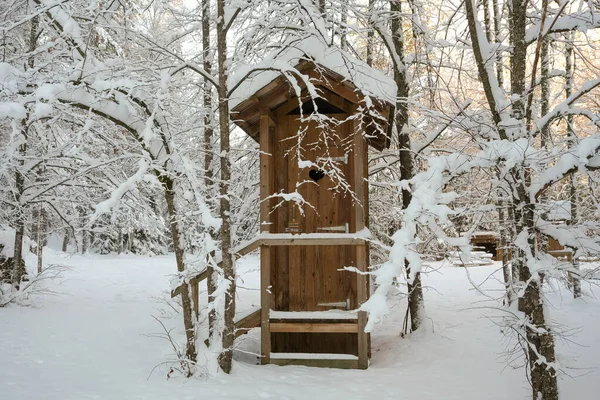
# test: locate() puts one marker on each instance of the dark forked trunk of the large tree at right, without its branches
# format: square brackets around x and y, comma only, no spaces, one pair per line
[540,342]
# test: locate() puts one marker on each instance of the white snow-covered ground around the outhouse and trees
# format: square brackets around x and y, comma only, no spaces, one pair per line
[95,338]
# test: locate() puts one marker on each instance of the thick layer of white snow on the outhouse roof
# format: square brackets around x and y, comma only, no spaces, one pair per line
[369,81]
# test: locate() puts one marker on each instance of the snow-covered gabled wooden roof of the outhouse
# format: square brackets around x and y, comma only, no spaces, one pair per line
[282,74]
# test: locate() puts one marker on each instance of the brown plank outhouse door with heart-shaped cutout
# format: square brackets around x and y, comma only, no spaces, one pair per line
[321,177]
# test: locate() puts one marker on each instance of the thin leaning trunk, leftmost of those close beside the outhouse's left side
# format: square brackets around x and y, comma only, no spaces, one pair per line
[186,302]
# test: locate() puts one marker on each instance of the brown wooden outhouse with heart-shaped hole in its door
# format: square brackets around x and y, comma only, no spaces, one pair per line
[314,212]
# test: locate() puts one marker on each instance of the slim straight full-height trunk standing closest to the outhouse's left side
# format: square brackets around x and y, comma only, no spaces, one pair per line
[226,356]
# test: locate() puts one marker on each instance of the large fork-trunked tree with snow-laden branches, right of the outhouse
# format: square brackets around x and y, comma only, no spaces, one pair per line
[525,175]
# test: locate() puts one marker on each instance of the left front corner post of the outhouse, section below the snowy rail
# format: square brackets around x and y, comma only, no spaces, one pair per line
[265,304]
